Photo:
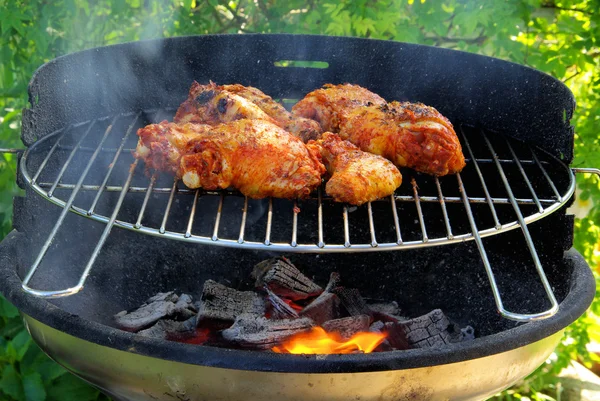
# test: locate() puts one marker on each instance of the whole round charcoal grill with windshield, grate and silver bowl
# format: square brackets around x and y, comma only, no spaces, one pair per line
[81,181]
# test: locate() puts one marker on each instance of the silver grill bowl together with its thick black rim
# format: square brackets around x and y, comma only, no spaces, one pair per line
[128,366]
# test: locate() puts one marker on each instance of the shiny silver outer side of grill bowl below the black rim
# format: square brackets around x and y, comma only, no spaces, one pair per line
[129,376]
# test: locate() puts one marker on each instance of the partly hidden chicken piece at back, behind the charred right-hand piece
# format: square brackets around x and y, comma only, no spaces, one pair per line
[331,104]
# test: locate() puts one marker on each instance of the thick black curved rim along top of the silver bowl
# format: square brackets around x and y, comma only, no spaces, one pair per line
[578,299]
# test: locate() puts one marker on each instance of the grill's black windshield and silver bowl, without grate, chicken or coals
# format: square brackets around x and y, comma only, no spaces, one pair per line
[474,90]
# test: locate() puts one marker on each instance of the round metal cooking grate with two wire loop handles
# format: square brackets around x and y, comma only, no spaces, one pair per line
[88,168]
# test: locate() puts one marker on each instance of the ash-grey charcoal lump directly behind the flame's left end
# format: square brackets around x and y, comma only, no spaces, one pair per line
[261,333]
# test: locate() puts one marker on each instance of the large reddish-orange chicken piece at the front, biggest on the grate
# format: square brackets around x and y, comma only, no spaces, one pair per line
[255,156]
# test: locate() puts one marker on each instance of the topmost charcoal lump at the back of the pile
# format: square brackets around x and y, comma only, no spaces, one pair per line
[284,279]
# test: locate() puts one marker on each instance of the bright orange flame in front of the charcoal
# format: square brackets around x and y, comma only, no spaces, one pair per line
[318,341]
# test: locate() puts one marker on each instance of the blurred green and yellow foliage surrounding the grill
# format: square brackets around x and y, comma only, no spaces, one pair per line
[561,38]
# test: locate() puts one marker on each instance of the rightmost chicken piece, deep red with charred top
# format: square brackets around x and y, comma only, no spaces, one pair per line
[409,134]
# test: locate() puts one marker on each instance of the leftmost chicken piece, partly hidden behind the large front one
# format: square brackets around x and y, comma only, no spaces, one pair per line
[161,145]
